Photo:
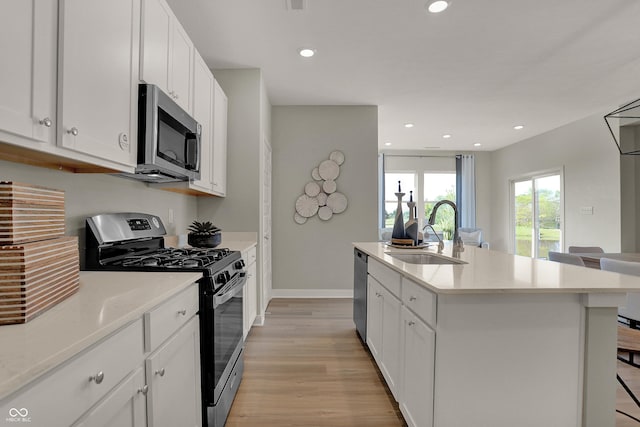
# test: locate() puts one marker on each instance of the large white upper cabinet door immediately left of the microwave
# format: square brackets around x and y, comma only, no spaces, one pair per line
[98,76]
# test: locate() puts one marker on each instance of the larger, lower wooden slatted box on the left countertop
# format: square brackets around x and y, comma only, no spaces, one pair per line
[35,276]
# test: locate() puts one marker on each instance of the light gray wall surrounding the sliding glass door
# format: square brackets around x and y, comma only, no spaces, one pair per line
[585,151]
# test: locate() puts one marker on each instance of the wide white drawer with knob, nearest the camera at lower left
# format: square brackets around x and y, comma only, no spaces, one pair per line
[63,396]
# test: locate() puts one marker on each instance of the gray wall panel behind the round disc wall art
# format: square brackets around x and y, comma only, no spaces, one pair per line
[318,255]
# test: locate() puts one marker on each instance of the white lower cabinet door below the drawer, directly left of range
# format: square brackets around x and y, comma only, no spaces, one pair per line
[173,377]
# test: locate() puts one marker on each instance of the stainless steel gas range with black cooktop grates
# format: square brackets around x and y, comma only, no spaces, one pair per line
[134,242]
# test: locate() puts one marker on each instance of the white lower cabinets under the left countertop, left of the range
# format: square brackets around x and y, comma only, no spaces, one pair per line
[113,384]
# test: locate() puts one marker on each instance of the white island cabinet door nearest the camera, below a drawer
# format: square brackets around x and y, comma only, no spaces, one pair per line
[416,400]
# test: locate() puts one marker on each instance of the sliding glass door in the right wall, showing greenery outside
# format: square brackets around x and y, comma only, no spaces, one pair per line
[537,215]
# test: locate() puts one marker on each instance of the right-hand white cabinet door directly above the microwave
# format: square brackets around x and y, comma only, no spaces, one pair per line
[181,66]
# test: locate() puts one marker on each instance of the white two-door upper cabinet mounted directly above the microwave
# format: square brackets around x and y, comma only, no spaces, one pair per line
[167,53]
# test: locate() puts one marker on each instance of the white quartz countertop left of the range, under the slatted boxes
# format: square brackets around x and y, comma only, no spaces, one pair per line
[105,302]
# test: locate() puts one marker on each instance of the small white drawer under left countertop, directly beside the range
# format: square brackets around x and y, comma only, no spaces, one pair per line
[161,322]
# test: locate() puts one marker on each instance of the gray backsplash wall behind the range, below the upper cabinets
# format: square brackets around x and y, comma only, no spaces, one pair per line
[91,194]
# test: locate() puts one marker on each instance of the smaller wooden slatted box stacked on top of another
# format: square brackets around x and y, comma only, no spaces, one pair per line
[30,213]
